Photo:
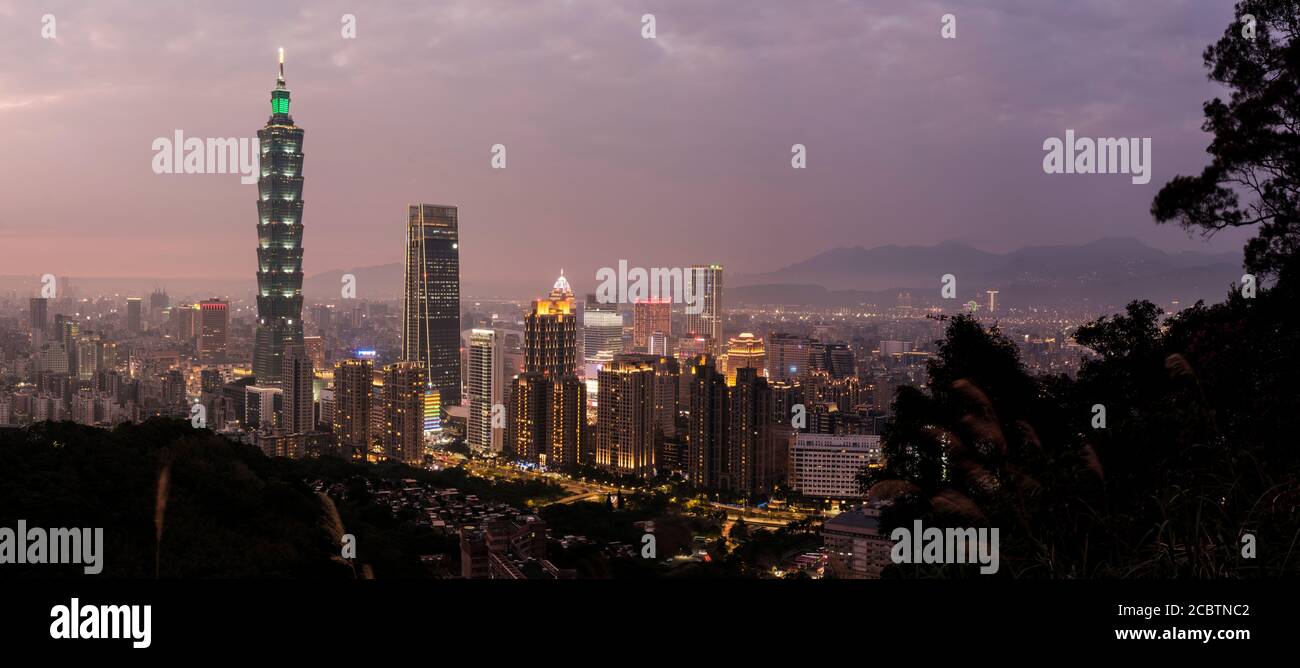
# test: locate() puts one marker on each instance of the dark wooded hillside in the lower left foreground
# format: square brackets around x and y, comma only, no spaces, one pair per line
[229,510]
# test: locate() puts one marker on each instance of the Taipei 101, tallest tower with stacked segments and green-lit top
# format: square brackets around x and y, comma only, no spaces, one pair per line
[280,238]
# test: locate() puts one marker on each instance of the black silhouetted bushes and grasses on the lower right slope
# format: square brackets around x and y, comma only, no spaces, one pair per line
[1199,446]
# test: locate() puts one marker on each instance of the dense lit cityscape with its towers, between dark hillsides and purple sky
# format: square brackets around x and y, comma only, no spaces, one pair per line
[747,415]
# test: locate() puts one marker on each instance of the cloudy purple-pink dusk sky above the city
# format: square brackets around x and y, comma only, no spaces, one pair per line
[662,153]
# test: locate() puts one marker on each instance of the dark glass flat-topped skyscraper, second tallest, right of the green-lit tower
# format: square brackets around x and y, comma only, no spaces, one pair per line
[431,309]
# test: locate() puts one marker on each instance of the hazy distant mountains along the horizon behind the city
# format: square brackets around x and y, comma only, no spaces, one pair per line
[1112,271]
